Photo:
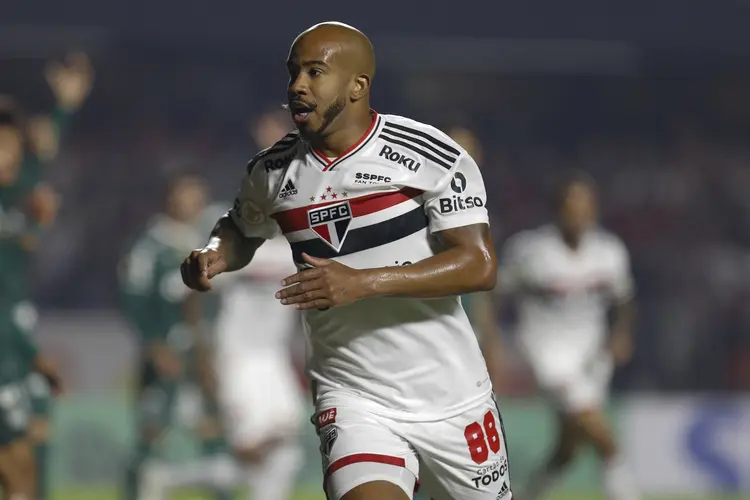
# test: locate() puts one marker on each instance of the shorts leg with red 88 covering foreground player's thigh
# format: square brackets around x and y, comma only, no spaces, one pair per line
[464,457]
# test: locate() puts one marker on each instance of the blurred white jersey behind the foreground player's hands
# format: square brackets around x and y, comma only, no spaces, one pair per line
[252,320]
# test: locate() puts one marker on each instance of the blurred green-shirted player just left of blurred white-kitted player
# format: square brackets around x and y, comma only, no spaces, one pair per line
[164,313]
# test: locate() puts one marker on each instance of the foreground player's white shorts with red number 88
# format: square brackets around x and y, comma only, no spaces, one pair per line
[463,457]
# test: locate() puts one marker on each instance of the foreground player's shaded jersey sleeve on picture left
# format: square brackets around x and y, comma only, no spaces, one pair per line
[251,206]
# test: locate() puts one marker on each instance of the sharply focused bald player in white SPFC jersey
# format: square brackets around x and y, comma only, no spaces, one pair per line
[387,225]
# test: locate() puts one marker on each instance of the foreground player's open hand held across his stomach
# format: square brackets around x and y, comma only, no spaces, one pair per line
[327,284]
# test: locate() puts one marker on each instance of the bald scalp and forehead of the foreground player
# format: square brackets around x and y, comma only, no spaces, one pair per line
[345,42]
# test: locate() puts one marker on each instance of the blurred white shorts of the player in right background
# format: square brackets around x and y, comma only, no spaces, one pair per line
[573,385]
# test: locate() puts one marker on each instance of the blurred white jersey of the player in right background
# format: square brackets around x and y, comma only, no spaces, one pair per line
[563,294]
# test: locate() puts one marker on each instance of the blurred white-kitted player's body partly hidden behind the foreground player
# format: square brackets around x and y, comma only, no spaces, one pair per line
[257,388]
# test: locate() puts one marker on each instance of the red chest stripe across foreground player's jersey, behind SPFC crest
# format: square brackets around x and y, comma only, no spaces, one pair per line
[295,219]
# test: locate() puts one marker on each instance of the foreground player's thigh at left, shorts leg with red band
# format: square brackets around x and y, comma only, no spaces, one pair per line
[359,452]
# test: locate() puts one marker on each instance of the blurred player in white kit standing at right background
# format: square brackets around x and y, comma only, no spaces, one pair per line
[564,277]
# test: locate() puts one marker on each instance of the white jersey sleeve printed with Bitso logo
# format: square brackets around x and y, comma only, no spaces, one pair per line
[459,197]
